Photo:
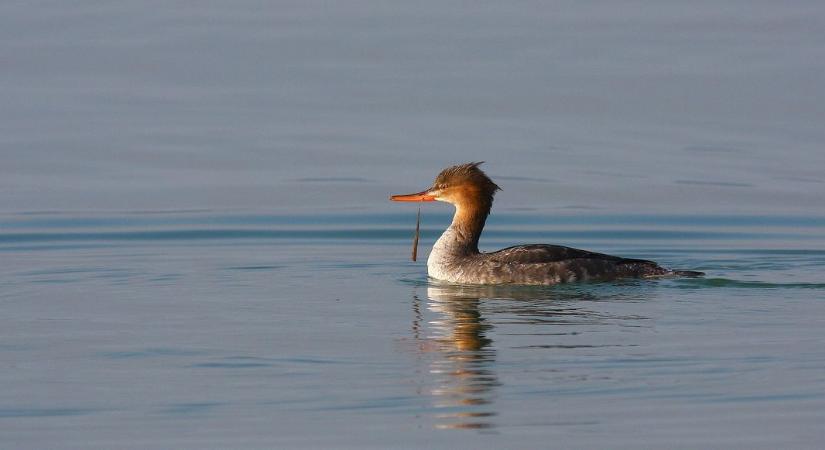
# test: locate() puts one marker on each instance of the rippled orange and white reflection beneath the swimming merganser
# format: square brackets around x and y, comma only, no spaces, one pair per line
[460,356]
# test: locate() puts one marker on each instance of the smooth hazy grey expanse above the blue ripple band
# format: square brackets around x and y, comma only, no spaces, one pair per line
[700,106]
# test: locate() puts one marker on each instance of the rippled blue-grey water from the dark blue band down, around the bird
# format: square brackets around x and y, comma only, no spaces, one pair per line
[226,330]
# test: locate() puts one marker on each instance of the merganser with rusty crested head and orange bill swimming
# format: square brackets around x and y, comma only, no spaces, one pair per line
[455,256]
